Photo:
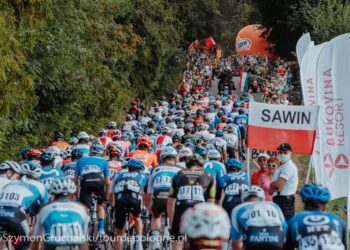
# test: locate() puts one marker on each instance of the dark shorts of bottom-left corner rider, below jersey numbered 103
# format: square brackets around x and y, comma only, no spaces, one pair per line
[13,222]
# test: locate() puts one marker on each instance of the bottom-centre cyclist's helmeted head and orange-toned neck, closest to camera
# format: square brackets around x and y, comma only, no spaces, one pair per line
[206,225]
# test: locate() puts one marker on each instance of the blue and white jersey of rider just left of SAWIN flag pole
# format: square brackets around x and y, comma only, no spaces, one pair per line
[233,183]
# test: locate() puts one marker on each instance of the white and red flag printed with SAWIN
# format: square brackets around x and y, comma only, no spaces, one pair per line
[271,125]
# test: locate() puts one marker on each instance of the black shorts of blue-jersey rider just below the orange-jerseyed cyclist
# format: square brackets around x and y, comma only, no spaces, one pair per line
[125,203]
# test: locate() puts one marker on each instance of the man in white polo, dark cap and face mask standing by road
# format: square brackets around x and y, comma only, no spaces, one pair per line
[285,182]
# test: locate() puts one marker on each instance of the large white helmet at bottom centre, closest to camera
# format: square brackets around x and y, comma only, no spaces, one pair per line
[206,220]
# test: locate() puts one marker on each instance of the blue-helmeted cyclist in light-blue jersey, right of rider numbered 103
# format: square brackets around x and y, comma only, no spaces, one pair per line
[48,172]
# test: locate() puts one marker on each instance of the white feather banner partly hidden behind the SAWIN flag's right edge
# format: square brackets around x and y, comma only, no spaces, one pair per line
[308,78]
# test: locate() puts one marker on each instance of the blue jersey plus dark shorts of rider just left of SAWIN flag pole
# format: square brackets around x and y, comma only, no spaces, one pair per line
[232,184]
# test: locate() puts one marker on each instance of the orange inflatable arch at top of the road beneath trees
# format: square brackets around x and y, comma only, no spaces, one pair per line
[250,42]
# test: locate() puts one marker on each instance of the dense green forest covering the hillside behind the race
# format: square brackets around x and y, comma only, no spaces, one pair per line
[73,65]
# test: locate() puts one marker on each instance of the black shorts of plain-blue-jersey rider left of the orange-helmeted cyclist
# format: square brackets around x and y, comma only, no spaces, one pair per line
[92,184]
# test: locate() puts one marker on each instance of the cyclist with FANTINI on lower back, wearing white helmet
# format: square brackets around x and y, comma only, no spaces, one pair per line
[261,223]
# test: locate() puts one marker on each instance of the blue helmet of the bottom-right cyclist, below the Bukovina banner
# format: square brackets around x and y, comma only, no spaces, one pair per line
[315,191]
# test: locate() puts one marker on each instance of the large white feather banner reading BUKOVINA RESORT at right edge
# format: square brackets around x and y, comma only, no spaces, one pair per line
[333,86]
